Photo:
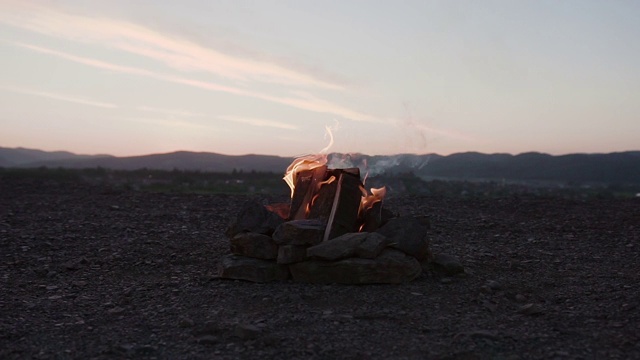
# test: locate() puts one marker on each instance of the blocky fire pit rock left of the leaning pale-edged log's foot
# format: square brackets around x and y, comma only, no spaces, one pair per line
[299,232]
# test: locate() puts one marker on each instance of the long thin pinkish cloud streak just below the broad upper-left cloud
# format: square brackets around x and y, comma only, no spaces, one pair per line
[302,101]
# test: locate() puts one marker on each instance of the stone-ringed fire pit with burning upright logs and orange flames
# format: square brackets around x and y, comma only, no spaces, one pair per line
[332,231]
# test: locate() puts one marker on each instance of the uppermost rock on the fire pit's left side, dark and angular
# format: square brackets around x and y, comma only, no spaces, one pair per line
[254,217]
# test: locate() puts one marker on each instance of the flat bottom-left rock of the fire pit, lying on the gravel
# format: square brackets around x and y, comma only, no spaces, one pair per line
[251,269]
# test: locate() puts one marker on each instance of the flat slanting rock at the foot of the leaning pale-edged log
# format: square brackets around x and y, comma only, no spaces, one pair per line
[362,245]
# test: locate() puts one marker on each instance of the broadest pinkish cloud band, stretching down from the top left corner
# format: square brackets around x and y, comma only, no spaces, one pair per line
[175,52]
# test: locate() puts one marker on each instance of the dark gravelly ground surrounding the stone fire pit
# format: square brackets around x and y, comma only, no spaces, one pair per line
[94,272]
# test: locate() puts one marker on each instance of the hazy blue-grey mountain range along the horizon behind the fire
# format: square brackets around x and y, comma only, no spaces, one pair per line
[611,168]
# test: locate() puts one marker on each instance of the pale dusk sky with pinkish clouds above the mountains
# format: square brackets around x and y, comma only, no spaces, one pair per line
[133,77]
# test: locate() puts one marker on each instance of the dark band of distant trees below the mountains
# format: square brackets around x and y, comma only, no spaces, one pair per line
[256,182]
